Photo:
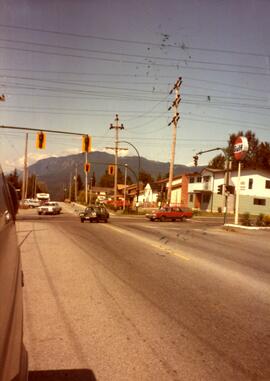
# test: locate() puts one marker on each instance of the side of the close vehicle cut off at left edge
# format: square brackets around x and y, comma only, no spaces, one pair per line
[13,356]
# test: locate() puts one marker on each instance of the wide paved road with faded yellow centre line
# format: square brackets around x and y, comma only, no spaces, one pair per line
[135,300]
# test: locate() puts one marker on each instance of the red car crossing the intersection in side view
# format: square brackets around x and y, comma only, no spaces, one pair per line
[170,213]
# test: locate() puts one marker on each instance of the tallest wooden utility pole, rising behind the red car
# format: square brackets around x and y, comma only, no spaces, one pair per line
[174,122]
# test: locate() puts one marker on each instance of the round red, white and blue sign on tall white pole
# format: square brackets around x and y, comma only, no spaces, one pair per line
[240,149]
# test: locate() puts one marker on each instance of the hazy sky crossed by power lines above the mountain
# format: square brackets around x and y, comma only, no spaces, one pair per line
[72,65]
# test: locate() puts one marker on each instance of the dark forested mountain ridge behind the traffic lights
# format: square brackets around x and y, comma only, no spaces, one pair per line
[57,171]
